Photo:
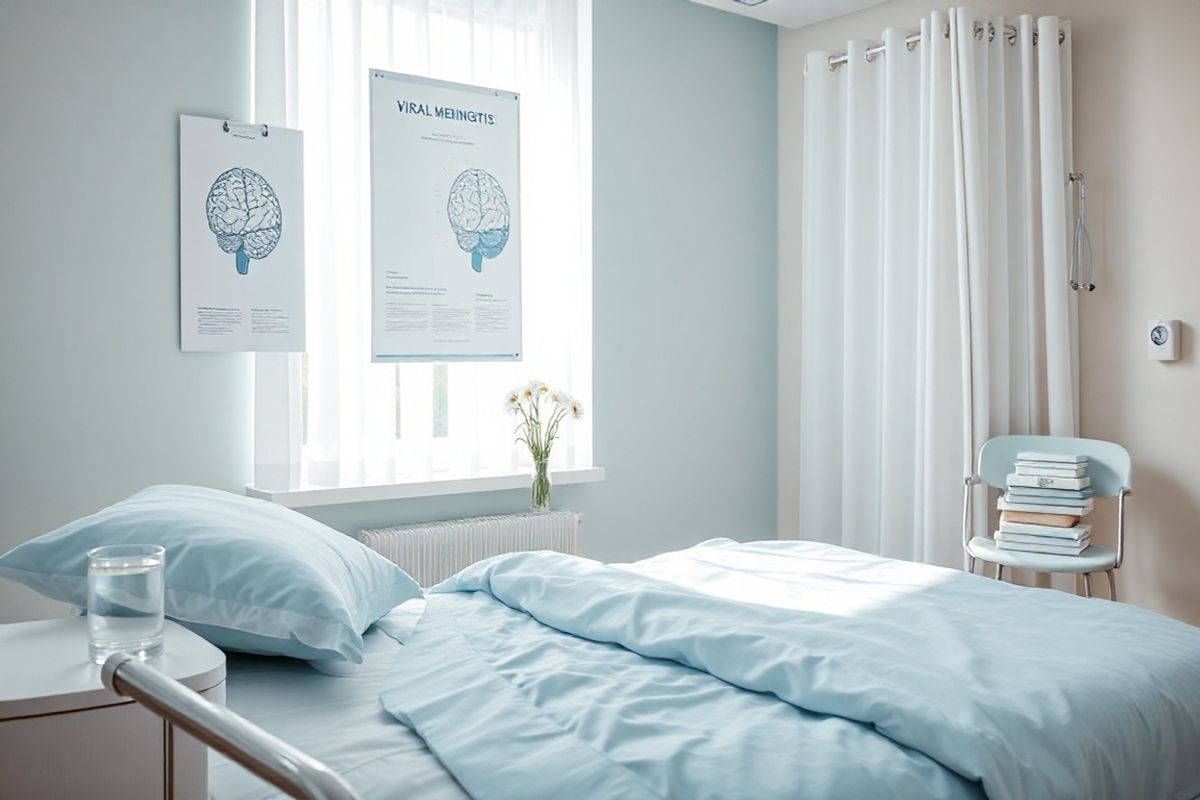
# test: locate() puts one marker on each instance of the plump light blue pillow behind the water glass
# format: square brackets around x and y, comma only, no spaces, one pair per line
[247,575]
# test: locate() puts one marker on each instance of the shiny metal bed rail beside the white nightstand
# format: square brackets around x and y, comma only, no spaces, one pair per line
[268,757]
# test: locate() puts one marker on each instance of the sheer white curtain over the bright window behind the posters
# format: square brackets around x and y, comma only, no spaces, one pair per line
[374,423]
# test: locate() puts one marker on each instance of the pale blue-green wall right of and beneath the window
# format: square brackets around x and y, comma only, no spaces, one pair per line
[685,288]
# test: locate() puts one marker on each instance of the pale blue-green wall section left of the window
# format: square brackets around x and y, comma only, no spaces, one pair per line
[97,400]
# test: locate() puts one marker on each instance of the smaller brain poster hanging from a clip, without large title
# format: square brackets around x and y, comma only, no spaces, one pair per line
[241,237]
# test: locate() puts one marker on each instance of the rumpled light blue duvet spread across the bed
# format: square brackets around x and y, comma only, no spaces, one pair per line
[794,670]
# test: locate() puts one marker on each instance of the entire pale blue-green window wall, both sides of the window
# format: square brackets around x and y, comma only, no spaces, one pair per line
[99,402]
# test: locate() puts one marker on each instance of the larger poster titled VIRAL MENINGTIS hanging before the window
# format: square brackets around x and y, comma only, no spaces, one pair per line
[446,221]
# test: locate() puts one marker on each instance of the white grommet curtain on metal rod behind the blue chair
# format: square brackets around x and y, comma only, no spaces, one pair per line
[935,309]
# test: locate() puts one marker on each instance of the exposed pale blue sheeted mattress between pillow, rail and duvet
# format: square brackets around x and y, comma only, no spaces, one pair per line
[337,720]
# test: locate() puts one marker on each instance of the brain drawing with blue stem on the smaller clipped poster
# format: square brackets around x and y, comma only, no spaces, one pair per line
[244,213]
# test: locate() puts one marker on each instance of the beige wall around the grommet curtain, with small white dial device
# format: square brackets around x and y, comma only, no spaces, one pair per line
[1137,103]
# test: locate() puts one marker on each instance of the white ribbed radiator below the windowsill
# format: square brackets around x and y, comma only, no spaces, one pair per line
[434,551]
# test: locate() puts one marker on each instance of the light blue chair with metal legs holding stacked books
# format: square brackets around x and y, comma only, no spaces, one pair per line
[1108,466]
